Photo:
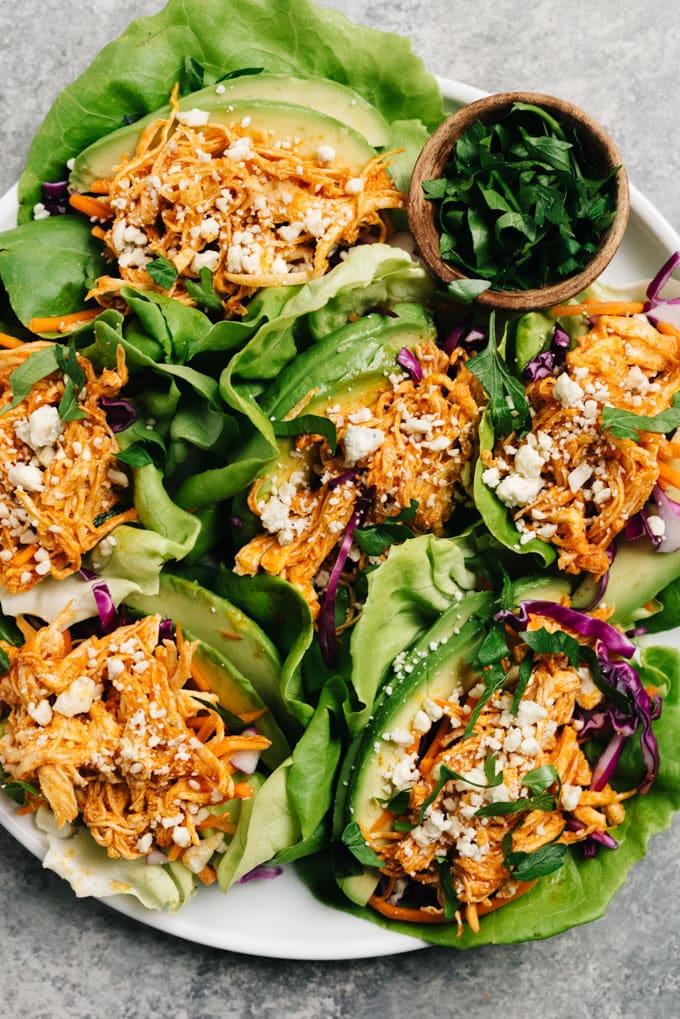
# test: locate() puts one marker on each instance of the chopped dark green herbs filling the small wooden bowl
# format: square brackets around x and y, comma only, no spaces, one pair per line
[517,208]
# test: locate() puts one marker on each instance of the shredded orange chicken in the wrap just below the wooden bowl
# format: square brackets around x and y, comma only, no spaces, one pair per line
[568,482]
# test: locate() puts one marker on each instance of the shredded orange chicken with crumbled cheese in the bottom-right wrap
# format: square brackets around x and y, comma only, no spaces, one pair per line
[543,732]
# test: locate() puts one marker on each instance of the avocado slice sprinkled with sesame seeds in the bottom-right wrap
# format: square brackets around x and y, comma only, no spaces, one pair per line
[435,675]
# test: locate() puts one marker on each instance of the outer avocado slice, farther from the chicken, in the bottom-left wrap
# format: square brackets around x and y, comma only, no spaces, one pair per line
[233,635]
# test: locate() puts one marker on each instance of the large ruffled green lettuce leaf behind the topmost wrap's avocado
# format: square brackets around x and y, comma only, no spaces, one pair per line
[135,74]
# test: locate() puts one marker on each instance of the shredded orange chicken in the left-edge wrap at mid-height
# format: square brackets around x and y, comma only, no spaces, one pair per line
[62,489]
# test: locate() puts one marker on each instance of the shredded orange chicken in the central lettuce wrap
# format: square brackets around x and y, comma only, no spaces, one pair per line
[421,438]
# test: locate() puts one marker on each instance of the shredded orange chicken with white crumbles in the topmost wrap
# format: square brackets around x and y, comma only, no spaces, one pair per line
[254,211]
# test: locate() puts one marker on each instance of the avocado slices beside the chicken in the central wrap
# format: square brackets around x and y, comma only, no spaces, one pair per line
[356,388]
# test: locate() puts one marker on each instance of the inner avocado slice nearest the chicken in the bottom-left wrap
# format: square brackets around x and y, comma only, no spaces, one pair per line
[240,696]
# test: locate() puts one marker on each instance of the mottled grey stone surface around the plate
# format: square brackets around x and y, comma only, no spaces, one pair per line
[77,959]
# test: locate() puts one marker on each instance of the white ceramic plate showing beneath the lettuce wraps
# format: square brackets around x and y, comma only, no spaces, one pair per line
[281,920]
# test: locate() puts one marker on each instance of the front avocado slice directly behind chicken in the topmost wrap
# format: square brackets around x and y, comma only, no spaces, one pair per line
[305,130]
